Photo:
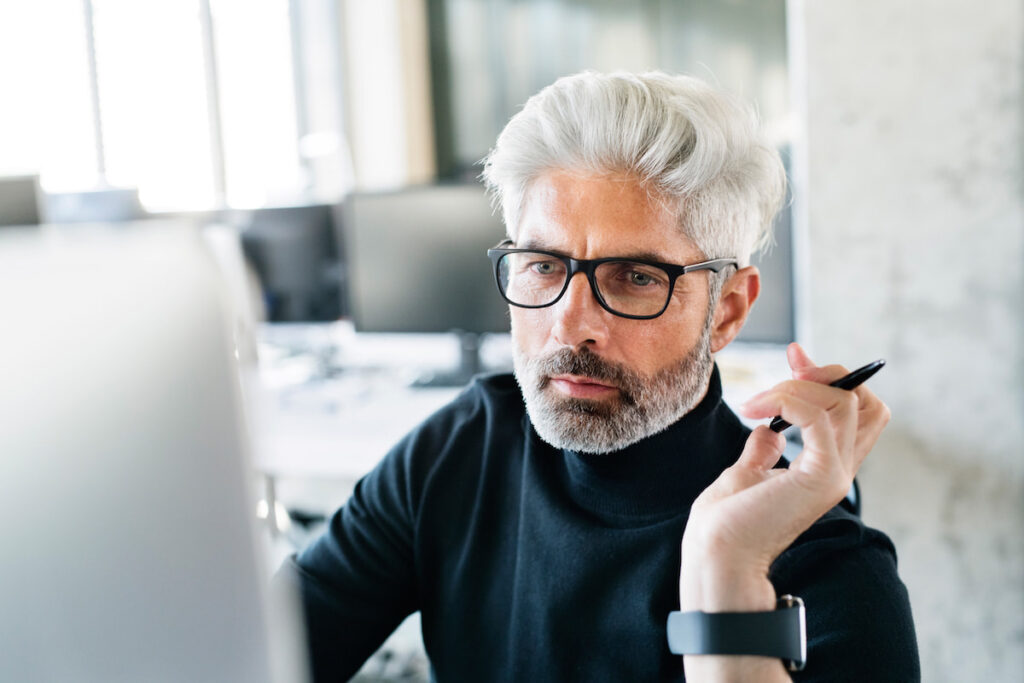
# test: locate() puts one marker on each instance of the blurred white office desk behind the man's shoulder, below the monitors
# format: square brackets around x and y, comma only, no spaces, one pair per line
[326,405]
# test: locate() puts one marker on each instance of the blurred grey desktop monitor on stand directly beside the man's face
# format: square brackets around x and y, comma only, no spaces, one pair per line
[417,263]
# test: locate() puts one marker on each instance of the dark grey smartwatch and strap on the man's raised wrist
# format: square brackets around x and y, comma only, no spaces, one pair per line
[778,634]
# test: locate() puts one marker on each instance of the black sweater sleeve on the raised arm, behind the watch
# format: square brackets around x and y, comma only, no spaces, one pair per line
[860,625]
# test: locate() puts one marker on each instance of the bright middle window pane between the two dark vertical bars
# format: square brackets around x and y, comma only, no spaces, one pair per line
[153,101]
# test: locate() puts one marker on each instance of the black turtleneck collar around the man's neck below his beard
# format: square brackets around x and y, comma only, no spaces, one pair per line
[661,476]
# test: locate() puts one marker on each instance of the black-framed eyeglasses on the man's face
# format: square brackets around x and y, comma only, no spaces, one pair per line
[630,288]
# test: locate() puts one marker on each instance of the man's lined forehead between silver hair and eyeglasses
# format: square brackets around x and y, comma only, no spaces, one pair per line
[592,217]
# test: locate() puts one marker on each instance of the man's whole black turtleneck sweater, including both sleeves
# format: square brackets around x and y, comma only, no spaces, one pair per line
[531,564]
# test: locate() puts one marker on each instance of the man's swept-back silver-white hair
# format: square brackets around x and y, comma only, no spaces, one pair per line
[695,148]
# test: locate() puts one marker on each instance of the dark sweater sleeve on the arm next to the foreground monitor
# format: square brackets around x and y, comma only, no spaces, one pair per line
[357,582]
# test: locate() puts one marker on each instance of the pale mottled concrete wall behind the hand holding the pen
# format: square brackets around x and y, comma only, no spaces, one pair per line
[912,211]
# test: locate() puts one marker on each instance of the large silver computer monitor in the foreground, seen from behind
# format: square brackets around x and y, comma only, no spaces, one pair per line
[131,551]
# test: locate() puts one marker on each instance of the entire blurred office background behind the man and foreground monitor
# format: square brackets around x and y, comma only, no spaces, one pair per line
[325,143]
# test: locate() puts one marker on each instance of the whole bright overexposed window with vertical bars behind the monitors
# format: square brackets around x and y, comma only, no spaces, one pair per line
[200,104]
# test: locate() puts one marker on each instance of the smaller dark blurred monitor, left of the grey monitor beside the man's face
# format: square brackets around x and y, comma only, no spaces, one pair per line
[294,251]
